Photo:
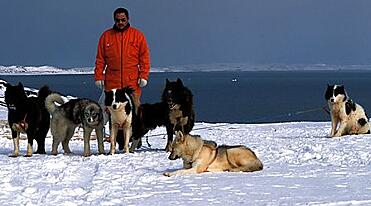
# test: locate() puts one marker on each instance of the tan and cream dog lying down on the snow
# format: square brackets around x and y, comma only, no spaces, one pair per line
[199,156]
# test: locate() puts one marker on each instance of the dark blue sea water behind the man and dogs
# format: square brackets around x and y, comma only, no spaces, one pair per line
[235,97]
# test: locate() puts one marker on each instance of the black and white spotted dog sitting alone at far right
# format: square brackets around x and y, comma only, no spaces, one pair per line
[347,117]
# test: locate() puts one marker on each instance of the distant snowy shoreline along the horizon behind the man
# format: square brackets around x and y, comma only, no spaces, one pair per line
[228,67]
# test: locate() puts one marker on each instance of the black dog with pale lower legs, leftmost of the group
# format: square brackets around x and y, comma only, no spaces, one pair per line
[27,115]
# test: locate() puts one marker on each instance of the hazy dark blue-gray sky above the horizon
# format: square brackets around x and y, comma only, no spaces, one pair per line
[65,33]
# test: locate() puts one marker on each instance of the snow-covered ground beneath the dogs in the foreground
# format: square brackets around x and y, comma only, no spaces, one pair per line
[302,166]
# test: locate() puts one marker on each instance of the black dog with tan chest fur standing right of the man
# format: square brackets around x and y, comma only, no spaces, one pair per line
[175,111]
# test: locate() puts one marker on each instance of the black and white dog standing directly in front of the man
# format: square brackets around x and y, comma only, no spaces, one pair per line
[123,107]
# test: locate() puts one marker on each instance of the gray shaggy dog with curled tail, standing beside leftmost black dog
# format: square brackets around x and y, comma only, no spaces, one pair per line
[71,114]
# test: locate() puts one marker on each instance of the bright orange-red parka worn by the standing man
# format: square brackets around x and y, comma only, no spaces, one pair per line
[124,57]
